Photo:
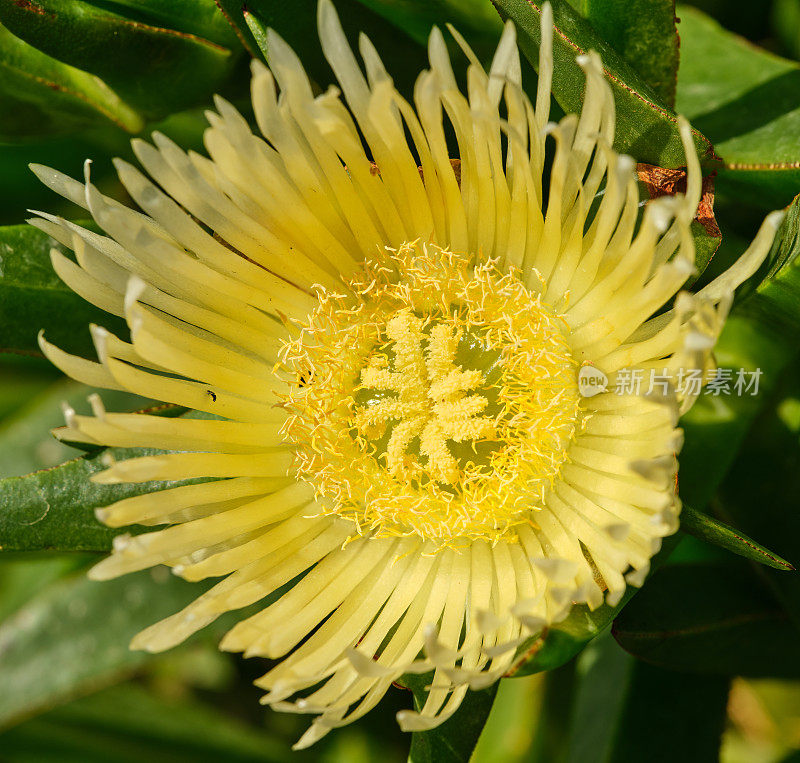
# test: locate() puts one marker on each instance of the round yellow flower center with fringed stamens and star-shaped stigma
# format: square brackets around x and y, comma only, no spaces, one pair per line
[435,397]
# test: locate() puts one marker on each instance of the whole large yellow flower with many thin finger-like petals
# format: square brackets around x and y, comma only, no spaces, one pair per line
[382,346]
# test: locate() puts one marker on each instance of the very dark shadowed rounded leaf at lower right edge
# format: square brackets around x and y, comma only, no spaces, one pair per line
[710,619]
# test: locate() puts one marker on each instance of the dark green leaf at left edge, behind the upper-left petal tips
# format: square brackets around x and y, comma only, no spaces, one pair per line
[33,297]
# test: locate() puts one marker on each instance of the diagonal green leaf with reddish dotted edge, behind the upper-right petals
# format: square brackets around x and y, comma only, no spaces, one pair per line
[646,126]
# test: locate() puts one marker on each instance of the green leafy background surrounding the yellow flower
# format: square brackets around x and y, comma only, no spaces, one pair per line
[702,663]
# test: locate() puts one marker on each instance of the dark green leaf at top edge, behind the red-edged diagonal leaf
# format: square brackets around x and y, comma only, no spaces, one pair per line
[643,32]
